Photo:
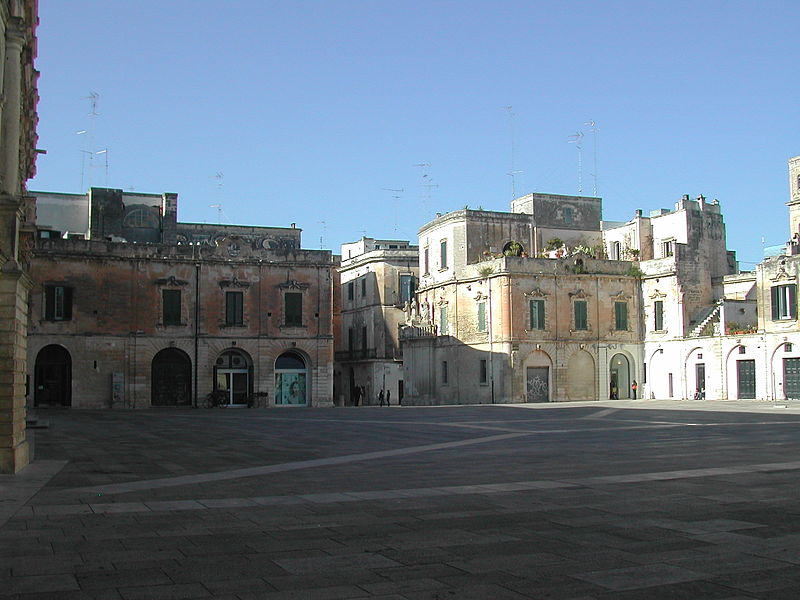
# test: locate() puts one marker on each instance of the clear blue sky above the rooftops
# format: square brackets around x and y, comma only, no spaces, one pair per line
[309,109]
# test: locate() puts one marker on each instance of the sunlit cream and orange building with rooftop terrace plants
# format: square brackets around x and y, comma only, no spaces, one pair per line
[496,324]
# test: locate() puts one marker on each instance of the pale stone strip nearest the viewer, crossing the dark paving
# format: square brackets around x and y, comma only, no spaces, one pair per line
[160,506]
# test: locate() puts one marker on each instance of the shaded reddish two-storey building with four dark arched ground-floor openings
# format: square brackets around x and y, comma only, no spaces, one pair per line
[132,309]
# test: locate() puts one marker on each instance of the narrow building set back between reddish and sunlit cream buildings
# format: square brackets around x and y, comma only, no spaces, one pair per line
[378,281]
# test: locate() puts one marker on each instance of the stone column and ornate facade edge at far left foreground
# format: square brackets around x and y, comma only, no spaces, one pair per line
[18,119]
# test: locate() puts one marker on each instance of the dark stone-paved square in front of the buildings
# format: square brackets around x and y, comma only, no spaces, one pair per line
[643,499]
